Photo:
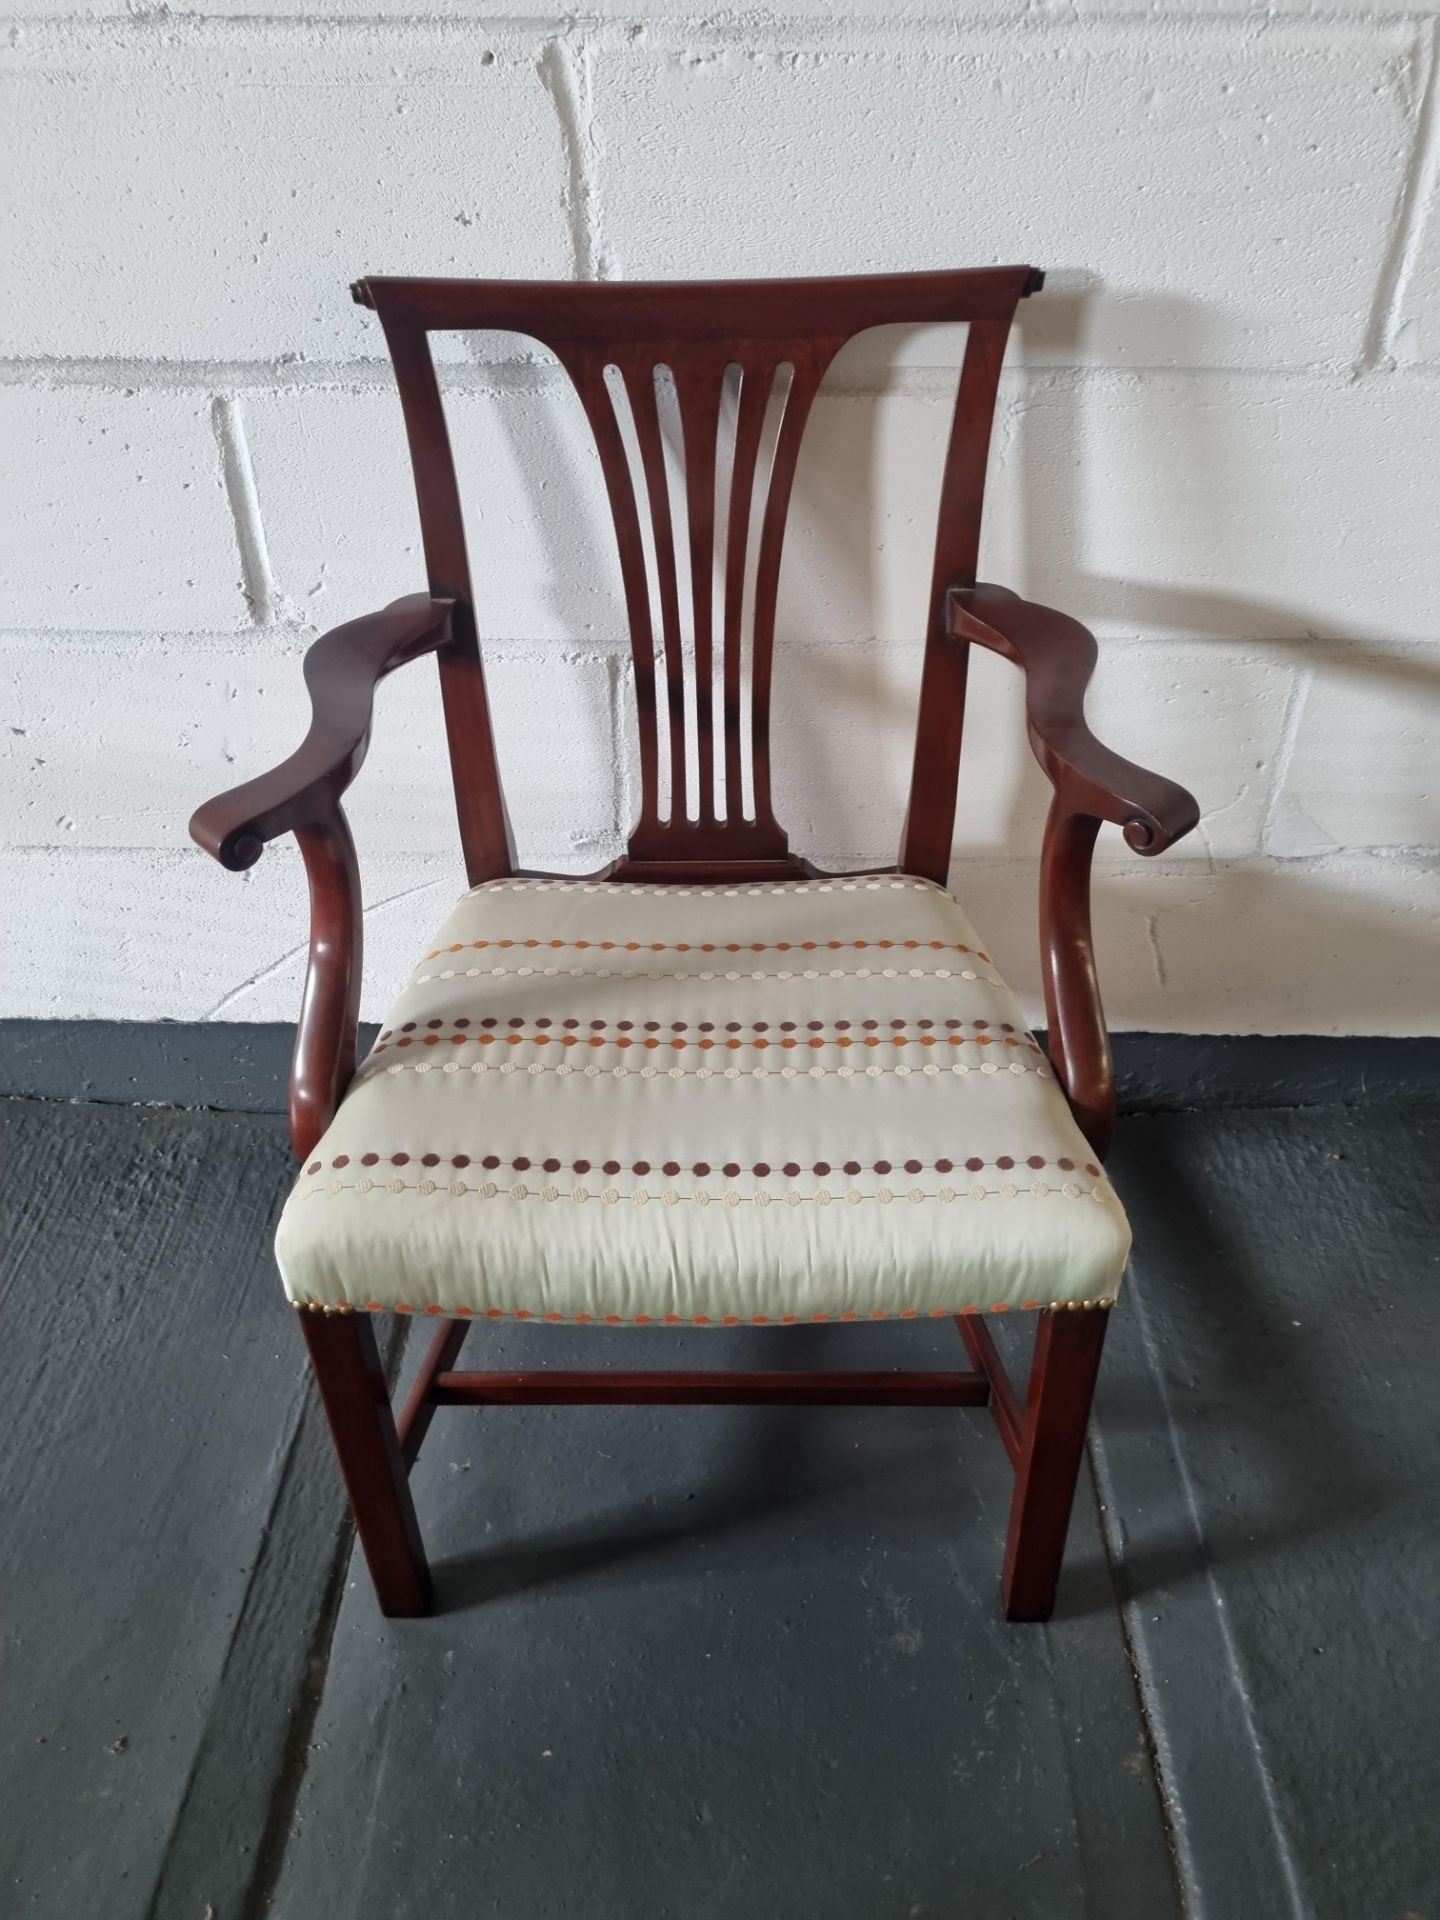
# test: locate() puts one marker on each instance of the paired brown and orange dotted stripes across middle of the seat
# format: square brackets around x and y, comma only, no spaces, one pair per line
[654,1036]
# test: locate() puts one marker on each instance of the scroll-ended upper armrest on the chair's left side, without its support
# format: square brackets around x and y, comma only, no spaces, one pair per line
[343,671]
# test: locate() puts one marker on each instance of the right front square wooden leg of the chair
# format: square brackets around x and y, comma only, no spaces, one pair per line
[1053,1445]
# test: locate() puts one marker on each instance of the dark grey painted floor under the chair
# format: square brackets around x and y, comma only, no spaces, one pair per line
[725,1664]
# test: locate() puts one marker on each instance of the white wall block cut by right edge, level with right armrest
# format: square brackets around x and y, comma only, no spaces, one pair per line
[1364,763]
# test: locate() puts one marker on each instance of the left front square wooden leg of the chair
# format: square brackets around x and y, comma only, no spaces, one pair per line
[364,1429]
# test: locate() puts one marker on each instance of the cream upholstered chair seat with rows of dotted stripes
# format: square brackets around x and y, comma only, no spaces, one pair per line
[704,1105]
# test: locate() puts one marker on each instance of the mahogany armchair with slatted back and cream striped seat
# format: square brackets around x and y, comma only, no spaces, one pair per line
[919,1084]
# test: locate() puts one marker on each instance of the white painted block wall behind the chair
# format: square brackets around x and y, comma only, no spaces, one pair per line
[1216,443]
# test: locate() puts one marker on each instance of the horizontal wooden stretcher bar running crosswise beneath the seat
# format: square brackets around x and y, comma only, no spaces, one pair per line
[711,1389]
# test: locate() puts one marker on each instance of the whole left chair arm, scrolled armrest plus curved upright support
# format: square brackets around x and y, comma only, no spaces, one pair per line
[302,798]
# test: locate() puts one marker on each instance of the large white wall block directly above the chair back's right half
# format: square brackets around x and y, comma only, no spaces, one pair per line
[1230,195]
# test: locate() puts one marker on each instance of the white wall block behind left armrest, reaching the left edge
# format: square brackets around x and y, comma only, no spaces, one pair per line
[187,719]
